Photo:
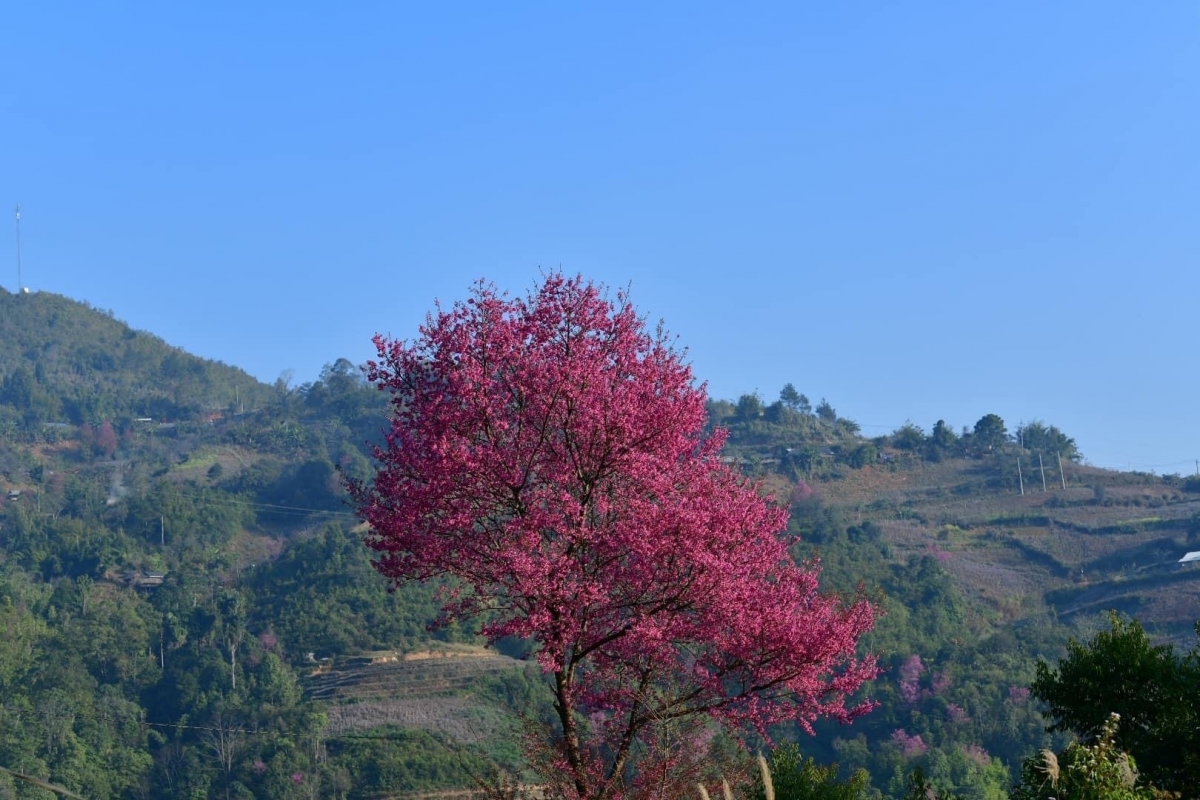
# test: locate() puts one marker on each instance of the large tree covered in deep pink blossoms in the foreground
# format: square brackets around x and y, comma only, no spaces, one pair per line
[549,455]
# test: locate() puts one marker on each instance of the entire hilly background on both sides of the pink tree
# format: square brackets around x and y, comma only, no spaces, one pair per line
[188,610]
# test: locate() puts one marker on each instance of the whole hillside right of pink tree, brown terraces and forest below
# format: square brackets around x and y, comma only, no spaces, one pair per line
[991,550]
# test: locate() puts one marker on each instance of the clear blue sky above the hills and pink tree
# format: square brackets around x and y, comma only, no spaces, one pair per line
[920,212]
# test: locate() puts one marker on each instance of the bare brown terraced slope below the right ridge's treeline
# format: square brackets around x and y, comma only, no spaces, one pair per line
[1109,540]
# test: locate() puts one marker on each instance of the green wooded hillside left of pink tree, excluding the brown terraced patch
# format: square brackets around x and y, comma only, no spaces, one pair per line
[191,688]
